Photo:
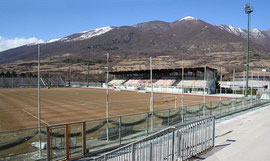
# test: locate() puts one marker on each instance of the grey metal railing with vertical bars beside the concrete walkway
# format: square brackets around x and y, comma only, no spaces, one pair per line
[182,141]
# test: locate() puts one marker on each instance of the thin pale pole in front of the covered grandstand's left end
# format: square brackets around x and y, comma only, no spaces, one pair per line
[107,98]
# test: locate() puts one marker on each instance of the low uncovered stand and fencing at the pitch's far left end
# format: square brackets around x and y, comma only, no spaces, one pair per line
[21,82]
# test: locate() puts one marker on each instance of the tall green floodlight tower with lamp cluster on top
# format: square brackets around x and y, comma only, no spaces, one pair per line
[248,10]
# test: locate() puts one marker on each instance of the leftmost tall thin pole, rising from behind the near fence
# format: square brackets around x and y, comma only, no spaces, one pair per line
[39,123]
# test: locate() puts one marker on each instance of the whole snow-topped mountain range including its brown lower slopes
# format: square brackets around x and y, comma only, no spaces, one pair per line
[183,39]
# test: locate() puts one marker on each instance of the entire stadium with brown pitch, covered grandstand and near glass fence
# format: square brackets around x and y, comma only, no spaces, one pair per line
[78,121]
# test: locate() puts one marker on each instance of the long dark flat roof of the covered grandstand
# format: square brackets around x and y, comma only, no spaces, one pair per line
[186,69]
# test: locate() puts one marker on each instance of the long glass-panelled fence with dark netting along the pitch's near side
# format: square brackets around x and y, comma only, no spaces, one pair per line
[96,136]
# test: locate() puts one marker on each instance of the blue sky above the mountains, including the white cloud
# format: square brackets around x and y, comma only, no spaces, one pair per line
[29,21]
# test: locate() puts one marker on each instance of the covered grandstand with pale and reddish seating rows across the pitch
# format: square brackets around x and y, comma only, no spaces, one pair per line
[195,79]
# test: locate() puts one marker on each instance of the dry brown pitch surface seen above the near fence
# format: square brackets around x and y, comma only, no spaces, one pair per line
[18,107]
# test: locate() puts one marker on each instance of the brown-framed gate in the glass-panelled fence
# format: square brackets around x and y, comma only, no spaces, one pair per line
[66,141]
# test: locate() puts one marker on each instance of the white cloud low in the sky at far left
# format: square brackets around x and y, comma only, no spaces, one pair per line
[6,44]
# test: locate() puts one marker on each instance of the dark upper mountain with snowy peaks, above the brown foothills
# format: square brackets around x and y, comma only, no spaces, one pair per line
[188,35]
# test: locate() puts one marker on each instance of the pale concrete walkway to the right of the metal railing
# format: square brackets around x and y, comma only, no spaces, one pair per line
[243,138]
